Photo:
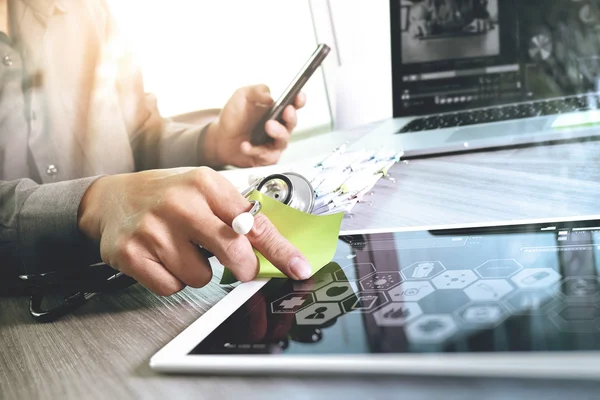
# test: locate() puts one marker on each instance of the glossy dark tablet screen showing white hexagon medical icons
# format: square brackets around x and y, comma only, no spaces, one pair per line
[512,289]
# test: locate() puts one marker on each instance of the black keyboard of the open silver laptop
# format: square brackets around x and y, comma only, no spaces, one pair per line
[502,113]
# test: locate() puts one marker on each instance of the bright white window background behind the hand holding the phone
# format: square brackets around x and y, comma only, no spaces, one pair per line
[194,54]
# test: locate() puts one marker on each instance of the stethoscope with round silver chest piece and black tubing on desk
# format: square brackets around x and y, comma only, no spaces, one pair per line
[80,285]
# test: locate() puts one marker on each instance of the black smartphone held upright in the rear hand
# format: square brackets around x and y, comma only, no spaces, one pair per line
[259,136]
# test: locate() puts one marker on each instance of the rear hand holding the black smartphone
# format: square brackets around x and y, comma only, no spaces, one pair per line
[227,140]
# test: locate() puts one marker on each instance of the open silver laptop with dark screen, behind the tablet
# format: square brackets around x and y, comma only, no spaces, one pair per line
[481,74]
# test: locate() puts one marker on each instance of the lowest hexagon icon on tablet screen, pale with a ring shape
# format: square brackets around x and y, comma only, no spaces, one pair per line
[431,329]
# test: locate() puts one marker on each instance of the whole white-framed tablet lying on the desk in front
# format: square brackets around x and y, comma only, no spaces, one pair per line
[512,299]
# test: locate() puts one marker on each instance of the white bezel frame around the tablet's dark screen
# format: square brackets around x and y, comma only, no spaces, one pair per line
[175,357]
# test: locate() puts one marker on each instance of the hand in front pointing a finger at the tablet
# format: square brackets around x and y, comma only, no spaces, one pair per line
[150,224]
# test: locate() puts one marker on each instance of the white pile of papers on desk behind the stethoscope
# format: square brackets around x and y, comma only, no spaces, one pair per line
[340,180]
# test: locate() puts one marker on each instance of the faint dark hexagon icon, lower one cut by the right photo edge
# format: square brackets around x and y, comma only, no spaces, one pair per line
[576,318]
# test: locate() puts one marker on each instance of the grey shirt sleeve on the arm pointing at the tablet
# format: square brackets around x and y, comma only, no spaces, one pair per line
[38,228]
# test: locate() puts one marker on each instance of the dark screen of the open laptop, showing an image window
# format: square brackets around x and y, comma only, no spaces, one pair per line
[451,55]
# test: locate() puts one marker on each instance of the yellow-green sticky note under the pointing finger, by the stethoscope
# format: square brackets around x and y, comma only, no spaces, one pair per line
[316,236]
